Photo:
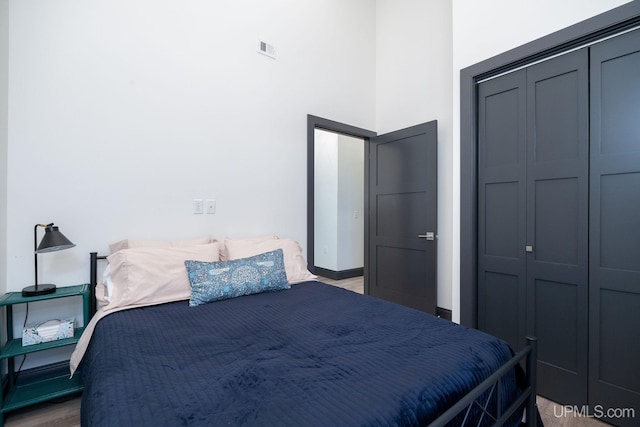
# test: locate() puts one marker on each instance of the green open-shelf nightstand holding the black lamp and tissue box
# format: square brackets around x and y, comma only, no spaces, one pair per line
[46,386]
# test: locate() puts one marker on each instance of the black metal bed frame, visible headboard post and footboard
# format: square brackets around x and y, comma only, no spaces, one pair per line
[492,385]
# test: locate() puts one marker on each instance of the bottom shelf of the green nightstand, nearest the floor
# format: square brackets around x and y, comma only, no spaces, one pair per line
[41,390]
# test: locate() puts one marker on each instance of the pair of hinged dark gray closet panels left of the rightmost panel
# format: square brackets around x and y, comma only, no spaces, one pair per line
[533,217]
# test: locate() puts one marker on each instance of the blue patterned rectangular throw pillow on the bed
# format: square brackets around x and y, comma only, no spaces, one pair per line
[213,281]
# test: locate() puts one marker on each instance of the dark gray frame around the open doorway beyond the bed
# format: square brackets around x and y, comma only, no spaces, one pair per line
[313,123]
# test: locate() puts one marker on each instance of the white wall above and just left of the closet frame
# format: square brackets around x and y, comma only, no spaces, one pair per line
[485,29]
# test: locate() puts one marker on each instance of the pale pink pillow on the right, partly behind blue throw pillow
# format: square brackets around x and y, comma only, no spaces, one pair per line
[294,263]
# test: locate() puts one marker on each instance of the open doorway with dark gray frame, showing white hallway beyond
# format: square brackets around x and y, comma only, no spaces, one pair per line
[336,198]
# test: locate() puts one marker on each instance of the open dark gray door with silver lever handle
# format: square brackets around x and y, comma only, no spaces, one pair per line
[403,217]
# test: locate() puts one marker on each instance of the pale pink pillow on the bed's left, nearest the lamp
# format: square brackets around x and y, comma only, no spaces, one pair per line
[148,276]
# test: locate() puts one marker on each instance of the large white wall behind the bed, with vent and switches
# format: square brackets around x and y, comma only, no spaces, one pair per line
[121,112]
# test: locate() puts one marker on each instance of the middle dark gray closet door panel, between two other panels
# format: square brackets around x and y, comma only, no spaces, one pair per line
[557,223]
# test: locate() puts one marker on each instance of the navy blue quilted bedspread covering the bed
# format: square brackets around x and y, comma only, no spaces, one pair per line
[311,355]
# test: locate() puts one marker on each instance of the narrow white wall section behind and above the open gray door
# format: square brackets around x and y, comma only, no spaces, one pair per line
[414,85]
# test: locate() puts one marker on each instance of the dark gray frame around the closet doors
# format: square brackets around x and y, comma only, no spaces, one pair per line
[583,33]
